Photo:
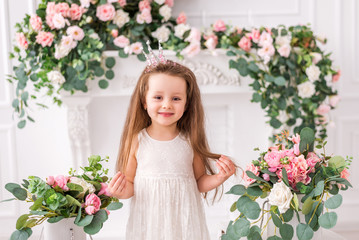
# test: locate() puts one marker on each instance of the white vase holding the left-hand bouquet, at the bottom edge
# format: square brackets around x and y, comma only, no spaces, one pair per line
[63,230]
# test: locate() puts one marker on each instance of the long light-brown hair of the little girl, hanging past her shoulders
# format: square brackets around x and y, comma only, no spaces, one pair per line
[191,123]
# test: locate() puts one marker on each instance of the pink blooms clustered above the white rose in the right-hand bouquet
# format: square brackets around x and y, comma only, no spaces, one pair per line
[296,165]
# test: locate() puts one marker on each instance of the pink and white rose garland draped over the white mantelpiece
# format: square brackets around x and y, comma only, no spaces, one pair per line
[61,48]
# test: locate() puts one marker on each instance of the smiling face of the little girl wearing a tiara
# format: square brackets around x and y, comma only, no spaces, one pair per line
[165,99]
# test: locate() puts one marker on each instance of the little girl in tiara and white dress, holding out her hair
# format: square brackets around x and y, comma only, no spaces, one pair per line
[164,157]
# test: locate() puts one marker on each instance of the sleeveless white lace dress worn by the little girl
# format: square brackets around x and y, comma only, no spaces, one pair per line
[166,204]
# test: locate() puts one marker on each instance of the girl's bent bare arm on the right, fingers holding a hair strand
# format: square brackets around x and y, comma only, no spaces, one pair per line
[207,182]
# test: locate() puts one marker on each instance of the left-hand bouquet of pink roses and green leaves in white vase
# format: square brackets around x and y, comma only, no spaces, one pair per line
[83,197]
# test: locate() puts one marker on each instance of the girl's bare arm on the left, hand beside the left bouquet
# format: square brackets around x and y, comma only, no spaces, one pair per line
[121,185]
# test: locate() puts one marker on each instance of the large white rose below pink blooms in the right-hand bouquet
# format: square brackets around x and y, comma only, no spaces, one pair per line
[280,196]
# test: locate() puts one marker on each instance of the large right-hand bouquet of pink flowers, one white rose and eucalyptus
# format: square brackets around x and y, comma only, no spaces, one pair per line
[297,183]
